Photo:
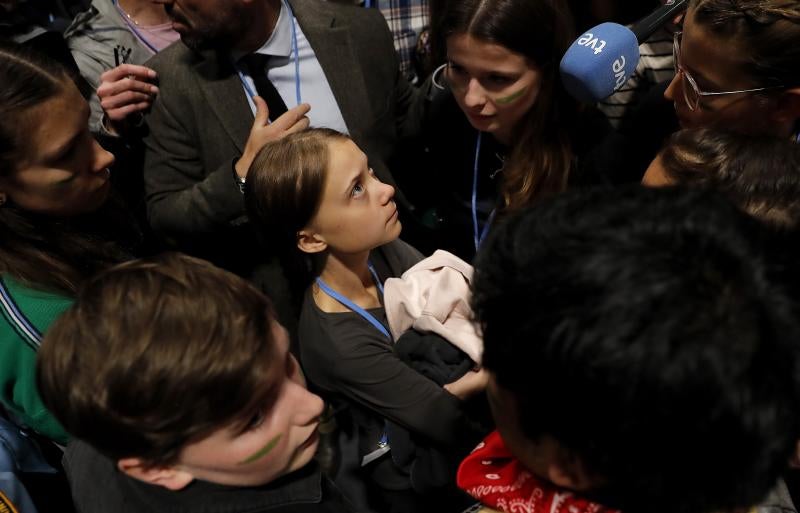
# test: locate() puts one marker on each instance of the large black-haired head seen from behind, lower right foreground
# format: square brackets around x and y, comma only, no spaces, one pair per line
[641,330]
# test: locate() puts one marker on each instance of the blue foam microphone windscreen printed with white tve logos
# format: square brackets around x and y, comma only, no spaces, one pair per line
[599,62]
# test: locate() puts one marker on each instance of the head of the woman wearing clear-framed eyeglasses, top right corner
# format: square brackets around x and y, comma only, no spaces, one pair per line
[737,66]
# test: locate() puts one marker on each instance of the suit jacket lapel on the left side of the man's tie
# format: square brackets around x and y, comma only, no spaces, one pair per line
[223,90]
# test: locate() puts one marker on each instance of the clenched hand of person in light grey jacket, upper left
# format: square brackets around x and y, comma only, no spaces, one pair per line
[126,90]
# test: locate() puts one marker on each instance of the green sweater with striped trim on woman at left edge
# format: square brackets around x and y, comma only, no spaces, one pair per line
[18,391]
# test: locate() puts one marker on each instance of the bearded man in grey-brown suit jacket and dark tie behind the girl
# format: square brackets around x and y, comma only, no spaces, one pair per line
[202,133]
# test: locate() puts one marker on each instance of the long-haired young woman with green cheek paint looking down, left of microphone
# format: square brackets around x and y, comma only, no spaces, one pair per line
[503,133]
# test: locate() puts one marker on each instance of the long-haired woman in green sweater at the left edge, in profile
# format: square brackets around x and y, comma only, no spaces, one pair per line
[58,222]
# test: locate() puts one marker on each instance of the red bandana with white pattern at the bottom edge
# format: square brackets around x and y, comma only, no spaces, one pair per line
[499,481]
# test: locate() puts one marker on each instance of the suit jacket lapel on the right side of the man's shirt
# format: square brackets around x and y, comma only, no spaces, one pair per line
[328,36]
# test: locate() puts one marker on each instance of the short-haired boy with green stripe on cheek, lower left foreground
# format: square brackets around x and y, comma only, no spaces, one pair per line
[182,393]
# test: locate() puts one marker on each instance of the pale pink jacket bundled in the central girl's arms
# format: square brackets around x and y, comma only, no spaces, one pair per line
[433,296]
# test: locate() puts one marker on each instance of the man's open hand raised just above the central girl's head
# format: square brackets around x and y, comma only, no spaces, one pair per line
[293,120]
